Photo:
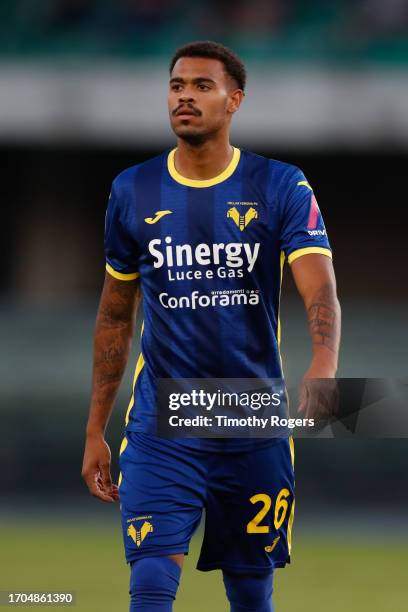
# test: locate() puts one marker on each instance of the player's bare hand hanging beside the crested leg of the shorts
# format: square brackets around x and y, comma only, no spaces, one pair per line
[96,469]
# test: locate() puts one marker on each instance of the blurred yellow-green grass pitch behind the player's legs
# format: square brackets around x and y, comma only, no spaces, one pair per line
[345,572]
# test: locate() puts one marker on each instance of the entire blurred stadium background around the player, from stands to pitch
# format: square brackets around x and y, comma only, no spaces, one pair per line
[83,86]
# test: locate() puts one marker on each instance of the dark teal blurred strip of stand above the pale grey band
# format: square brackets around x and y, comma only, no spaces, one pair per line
[289,30]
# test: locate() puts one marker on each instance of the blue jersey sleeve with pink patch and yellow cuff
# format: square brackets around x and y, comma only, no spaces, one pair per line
[302,226]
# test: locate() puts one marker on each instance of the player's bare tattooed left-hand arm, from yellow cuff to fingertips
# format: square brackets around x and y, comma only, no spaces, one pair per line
[113,337]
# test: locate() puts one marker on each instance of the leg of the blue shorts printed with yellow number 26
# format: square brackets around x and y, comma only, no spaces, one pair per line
[249,511]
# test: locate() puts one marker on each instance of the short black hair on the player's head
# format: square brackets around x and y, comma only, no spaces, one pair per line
[212,50]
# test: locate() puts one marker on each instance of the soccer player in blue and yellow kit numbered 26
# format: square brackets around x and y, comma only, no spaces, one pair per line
[202,232]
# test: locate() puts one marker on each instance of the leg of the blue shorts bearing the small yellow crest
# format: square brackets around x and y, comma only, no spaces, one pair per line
[161,493]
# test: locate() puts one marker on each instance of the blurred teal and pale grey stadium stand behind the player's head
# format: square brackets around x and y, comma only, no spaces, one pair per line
[77,70]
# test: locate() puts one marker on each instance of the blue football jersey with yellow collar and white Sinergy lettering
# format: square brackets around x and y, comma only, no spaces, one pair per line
[209,255]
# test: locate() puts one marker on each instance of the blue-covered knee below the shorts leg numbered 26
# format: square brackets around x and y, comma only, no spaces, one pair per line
[249,593]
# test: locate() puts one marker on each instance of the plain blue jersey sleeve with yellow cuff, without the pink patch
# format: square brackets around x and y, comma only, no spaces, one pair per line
[120,249]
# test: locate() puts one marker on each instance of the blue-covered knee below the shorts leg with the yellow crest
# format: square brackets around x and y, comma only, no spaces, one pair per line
[153,582]
